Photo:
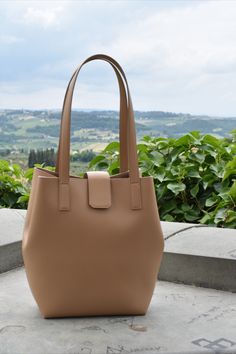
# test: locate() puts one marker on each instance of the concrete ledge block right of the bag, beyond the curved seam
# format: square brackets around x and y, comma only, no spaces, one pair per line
[203,256]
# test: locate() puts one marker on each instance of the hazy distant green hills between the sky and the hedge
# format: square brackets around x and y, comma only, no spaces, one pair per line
[22,131]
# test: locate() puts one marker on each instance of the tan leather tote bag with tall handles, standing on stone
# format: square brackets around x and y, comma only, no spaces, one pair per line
[93,245]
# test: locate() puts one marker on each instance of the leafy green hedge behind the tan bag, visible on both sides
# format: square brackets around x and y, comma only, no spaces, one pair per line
[194,177]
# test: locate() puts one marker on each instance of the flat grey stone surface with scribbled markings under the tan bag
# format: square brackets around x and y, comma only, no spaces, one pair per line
[181,319]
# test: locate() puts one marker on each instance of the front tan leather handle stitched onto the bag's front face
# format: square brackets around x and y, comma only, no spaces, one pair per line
[64,153]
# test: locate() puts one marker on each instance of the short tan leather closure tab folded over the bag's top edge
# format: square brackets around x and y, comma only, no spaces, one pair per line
[99,189]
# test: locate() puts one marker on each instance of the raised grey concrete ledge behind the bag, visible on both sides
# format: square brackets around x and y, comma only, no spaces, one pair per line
[194,254]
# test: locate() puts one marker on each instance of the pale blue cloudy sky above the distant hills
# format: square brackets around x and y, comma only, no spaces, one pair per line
[179,56]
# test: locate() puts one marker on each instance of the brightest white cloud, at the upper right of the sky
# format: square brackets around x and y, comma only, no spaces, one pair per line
[186,39]
